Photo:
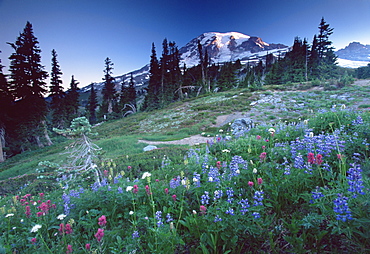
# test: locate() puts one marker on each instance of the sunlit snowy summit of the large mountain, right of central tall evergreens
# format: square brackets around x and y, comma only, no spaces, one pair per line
[225,47]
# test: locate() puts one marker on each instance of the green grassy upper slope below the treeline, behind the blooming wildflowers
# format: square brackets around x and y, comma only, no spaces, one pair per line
[182,119]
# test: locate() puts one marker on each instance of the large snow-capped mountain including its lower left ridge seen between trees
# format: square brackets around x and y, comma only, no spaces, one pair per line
[220,47]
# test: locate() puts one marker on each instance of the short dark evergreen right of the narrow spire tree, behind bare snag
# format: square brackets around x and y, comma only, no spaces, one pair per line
[71,101]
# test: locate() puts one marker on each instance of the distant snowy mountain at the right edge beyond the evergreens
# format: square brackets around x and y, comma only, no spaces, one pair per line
[354,55]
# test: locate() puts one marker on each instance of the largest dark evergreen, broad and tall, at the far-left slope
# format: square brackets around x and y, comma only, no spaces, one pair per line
[27,85]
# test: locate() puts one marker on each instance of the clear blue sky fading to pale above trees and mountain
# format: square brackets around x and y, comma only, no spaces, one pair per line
[85,32]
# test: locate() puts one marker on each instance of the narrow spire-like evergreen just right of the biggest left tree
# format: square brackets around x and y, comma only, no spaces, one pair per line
[56,93]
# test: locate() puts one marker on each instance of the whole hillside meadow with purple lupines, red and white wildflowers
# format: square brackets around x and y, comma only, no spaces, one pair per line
[292,184]
